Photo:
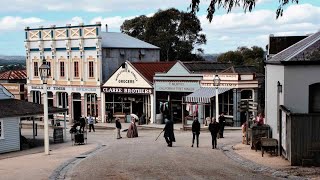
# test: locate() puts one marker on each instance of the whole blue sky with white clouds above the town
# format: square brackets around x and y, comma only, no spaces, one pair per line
[227,31]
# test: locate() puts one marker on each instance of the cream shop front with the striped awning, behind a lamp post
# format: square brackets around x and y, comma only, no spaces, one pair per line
[232,89]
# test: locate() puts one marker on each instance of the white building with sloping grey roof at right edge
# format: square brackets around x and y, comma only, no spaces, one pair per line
[293,81]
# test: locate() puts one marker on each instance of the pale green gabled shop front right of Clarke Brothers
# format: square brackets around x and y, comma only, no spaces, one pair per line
[170,89]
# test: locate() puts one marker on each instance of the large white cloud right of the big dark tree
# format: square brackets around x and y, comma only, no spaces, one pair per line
[248,29]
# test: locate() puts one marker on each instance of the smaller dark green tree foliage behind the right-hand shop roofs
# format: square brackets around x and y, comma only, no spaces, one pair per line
[253,56]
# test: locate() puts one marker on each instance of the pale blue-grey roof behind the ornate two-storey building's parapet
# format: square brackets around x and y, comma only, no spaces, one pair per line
[121,40]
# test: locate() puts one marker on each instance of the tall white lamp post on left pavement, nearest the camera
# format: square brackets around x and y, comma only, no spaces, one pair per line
[44,71]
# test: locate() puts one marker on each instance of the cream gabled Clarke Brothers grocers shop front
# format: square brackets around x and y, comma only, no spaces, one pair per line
[127,92]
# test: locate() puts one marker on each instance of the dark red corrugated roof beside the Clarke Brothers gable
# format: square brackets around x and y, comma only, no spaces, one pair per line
[148,69]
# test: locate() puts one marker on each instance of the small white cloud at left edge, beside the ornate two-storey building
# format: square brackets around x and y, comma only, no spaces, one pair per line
[16,22]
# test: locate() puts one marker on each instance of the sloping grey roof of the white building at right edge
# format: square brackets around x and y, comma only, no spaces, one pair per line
[290,52]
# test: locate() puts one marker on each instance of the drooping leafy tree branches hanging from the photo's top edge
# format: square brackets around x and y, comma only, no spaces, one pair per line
[247,5]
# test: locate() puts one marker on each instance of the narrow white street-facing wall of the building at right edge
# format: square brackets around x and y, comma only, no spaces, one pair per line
[274,73]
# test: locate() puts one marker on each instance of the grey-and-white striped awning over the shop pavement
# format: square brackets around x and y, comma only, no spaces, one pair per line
[204,94]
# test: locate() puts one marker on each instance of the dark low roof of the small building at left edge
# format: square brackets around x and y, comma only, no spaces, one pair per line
[19,108]
